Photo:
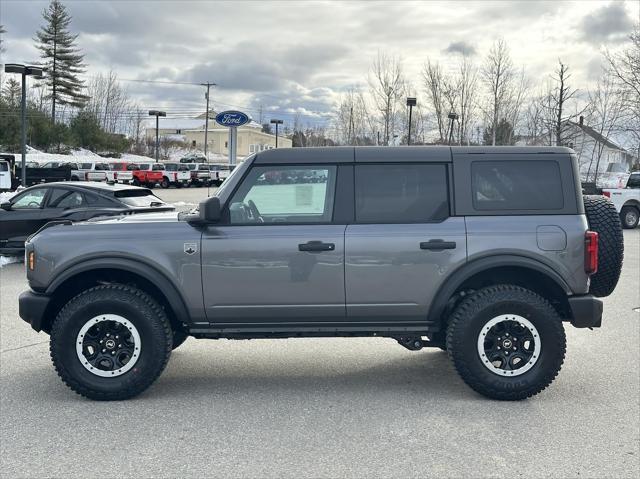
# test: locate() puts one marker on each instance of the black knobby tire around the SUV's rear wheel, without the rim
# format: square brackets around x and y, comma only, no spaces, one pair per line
[473,313]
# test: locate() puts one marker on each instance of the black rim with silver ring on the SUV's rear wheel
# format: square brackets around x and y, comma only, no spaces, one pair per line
[509,345]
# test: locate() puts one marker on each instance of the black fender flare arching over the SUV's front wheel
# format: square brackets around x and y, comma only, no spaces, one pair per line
[140,268]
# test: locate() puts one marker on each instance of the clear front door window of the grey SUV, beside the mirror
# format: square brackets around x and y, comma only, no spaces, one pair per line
[285,194]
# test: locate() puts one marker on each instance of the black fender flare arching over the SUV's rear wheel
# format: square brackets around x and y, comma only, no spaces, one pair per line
[459,276]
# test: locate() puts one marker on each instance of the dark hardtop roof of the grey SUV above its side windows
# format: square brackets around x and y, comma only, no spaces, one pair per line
[374,154]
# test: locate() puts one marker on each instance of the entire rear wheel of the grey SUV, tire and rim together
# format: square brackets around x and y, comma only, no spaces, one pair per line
[506,342]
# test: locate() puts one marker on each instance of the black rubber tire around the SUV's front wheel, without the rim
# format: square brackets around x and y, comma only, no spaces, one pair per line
[152,347]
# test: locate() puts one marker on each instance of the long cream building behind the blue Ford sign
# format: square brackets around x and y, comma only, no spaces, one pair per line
[190,131]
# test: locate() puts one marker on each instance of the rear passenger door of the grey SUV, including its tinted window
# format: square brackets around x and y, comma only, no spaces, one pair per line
[404,242]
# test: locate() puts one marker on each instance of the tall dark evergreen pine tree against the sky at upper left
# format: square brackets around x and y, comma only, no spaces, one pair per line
[62,60]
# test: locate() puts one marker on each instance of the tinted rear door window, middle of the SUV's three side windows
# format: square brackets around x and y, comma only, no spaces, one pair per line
[401,193]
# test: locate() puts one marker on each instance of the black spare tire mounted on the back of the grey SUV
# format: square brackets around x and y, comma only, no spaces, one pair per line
[604,220]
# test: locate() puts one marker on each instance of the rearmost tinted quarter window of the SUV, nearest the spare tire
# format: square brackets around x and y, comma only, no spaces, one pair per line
[516,185]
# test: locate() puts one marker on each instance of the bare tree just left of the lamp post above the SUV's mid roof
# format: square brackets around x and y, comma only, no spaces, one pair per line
[386,80]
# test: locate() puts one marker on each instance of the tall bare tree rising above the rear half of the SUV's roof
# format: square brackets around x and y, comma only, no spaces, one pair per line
[497,74]
